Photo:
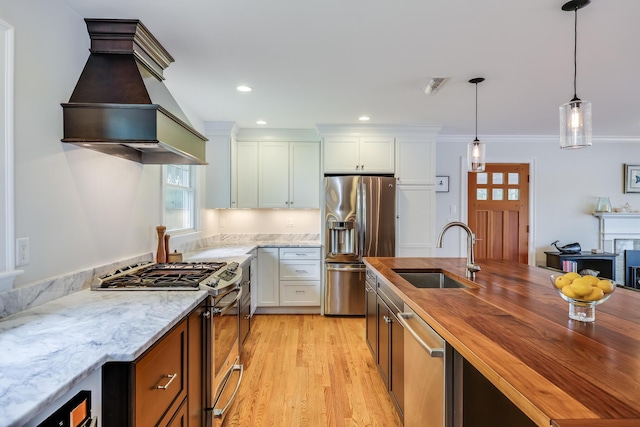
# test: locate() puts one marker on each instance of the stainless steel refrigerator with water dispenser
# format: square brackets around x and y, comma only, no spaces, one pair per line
[359,221]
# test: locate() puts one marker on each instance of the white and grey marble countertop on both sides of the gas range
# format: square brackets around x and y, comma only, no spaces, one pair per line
[50,348]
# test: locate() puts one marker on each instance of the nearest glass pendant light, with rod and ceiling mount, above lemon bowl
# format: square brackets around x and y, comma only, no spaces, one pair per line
[575,115]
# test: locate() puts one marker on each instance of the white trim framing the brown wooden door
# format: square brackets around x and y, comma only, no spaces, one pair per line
[531,161]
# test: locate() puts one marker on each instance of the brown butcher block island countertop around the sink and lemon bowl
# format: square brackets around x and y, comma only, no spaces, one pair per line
[515,329]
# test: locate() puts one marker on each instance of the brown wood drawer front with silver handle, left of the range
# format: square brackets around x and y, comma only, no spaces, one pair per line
[160,378]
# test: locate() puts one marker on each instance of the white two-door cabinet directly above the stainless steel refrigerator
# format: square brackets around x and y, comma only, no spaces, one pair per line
[359,155]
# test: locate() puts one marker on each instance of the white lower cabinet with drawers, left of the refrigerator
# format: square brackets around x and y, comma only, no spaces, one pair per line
[289,278]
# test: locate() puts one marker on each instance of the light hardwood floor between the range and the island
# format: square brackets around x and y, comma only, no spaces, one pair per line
[310,370]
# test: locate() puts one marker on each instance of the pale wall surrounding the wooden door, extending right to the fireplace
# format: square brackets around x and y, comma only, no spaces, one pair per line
[567,184]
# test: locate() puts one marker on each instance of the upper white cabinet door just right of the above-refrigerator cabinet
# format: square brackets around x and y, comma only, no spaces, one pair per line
[415,162]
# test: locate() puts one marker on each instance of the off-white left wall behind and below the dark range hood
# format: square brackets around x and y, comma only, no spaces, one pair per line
[79,208]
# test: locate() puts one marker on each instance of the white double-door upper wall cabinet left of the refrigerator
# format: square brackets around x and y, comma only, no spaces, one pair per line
[289,175]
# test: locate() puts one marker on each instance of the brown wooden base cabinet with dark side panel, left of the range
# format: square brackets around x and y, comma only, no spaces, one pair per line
[153,389]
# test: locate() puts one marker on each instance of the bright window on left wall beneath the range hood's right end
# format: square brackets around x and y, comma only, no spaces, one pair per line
[179,198]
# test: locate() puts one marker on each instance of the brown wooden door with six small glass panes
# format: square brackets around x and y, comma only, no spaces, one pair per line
[498,211]
